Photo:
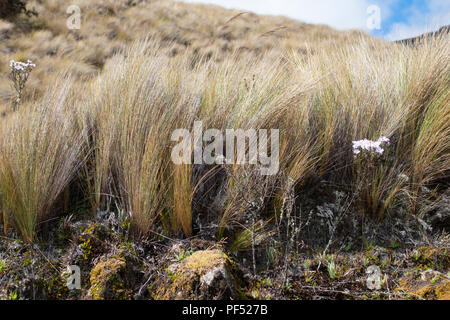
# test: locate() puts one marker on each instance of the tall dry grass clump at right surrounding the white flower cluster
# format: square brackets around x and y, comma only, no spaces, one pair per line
[399,92]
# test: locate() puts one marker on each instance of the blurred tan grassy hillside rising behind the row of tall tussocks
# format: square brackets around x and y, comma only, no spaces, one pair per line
[109,26]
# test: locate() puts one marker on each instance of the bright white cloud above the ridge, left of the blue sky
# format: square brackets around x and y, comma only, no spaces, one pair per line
[342,14]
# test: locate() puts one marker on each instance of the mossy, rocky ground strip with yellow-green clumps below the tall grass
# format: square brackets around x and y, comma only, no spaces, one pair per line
[114,266]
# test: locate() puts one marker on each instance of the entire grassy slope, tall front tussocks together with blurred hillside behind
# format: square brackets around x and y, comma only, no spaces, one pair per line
[92,131]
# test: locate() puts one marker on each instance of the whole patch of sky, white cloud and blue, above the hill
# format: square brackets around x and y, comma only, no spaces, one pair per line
[388,19]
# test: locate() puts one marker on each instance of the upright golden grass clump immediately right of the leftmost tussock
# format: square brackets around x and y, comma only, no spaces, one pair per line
[134,107]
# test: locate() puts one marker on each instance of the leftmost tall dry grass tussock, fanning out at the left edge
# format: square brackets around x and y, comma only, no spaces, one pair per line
[41,149]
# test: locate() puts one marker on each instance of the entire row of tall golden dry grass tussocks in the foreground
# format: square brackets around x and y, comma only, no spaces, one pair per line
[320,103]
